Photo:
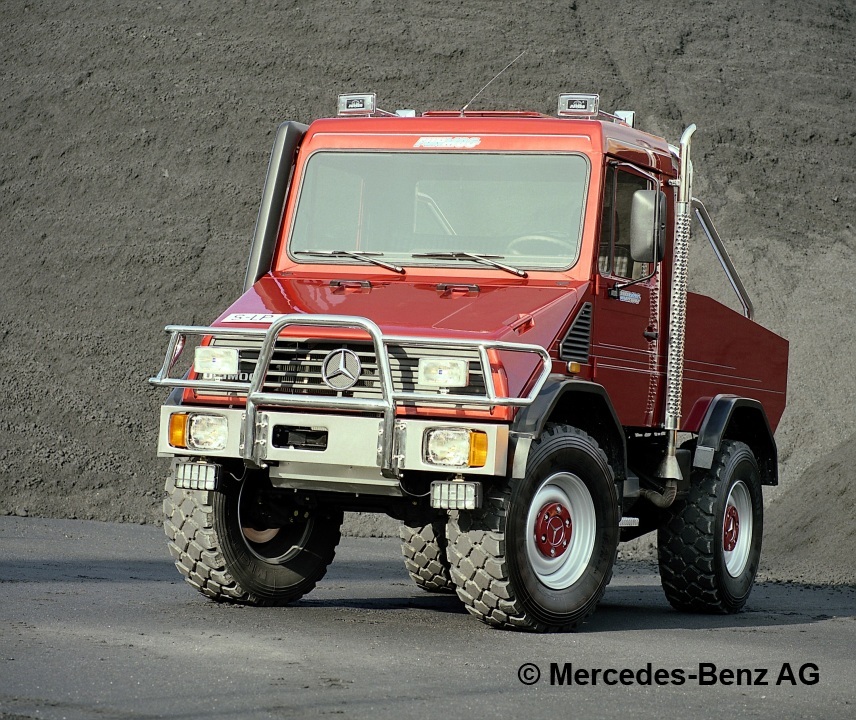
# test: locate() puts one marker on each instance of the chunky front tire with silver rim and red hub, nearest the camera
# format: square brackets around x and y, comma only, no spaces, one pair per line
[492,561]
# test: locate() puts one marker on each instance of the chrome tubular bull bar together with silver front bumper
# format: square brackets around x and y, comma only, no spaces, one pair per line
[369,436]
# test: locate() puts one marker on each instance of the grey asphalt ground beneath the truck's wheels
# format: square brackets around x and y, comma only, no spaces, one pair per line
[95,622]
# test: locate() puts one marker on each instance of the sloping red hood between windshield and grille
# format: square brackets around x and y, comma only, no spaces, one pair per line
[399,307]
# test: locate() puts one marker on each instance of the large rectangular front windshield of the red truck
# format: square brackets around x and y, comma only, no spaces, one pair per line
[421,208]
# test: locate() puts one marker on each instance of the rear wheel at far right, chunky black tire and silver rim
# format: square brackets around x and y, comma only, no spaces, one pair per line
[692,544]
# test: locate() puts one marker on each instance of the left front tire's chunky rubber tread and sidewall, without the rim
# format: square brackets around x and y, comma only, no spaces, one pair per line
[212,553]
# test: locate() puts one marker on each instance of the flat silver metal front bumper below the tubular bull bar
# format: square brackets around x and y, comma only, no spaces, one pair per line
[353,456]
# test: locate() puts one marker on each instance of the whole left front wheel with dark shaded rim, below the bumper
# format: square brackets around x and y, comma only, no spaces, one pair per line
[222,548]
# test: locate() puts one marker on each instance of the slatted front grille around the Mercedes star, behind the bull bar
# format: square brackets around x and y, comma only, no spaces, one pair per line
[296,367]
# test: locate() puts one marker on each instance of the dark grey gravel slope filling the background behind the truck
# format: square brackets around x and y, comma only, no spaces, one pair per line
[135,141]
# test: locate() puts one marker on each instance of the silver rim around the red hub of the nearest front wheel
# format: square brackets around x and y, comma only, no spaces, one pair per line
[559,573]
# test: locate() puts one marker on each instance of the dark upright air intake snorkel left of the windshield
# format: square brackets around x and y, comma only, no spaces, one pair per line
[288,137]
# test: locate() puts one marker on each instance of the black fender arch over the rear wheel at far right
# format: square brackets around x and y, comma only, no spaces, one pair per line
[730,417]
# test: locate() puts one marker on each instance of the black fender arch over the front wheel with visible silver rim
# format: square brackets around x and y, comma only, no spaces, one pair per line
[581,403]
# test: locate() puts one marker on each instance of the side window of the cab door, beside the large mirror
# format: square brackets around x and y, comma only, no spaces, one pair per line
[614,254]
